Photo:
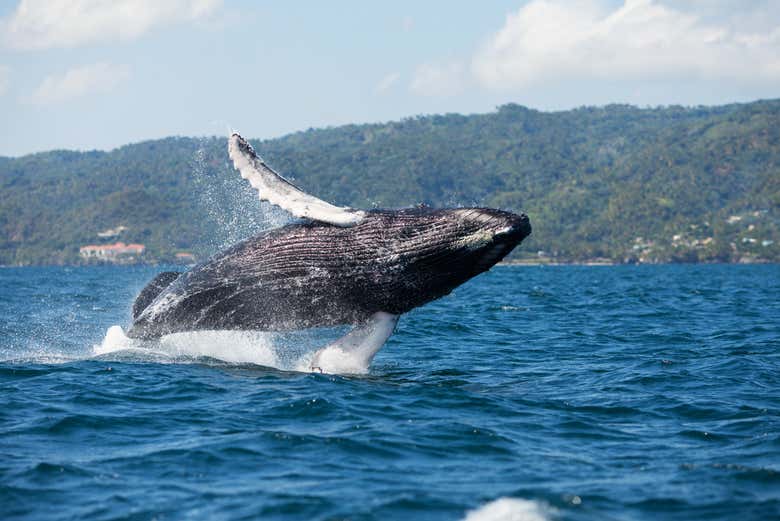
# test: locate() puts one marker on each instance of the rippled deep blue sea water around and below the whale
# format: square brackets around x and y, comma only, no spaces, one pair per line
[645,392]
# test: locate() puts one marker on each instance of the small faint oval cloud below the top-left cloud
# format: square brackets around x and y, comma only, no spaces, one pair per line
[79,81]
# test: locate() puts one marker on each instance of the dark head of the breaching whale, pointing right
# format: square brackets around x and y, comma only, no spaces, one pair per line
[439,249]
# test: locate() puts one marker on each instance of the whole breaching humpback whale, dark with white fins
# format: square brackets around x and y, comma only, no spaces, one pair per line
[336,266]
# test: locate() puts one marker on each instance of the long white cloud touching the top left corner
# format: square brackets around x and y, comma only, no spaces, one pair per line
[43,24]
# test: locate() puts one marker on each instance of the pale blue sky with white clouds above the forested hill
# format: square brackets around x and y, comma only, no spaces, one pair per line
[98,74]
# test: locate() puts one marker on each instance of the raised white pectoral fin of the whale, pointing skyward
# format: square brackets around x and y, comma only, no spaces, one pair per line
[277,190]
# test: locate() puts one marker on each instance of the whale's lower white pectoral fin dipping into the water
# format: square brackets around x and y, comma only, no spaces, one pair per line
[354,352]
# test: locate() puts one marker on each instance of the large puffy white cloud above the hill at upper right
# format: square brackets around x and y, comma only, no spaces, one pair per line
[553,40]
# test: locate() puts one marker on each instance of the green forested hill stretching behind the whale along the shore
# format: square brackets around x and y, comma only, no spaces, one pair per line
[618,182]
